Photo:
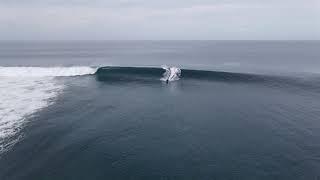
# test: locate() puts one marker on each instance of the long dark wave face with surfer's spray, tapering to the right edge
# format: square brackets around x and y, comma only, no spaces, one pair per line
[154,74]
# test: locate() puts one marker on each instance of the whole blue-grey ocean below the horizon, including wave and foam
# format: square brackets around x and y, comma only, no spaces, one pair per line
[159,110]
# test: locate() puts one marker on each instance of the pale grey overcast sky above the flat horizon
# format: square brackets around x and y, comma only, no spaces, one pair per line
[159,19]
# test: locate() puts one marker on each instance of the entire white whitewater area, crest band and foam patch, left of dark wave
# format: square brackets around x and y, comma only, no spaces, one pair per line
[25,91]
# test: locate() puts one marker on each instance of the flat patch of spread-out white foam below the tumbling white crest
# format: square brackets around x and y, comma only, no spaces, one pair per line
[20,97]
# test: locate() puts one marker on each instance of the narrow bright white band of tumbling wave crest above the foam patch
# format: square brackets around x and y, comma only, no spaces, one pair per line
[46,71]
